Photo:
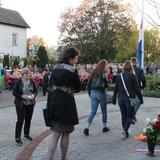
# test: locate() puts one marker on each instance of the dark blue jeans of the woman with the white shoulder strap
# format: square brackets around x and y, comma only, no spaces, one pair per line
[126,112]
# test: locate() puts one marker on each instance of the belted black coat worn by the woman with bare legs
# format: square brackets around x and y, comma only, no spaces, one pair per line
[61,105]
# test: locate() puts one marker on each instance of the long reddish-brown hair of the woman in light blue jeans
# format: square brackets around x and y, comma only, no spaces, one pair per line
[99,68]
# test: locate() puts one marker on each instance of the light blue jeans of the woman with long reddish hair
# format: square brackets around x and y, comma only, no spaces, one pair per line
[98,97]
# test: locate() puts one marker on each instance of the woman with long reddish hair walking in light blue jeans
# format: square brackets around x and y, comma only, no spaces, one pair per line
[96,89]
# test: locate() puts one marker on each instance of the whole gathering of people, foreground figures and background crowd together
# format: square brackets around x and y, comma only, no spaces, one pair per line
[61,81]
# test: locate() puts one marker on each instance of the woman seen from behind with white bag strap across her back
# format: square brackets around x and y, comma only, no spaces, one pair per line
[126,87]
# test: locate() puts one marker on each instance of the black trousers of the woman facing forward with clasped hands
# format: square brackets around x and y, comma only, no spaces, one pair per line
[24,113]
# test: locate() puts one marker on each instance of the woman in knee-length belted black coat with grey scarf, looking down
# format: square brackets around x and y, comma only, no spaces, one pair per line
[64,81]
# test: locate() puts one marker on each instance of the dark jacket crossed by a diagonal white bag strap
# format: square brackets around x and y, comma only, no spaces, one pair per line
[131,85]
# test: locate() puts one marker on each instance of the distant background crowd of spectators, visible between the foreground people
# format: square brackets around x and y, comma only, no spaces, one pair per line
[41,78]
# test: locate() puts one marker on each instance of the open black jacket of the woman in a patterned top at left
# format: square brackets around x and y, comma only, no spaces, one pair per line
[18,91]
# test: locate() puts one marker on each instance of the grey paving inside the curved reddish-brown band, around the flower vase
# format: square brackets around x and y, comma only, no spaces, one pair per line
[103,146]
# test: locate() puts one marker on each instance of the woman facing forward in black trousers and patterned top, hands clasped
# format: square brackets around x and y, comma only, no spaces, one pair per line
[25,92]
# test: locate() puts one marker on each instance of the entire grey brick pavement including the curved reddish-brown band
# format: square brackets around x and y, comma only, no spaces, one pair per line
[97,146]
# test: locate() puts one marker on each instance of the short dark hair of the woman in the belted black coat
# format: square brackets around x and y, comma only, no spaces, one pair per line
[69,53]
